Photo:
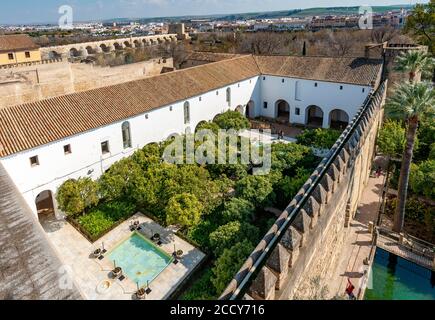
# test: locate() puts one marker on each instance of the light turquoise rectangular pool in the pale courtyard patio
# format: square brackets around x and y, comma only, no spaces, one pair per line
[140,259]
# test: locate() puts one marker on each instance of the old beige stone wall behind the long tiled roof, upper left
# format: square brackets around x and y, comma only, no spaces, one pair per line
[37,82]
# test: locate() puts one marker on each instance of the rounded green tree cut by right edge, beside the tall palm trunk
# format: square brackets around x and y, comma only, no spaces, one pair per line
[422,178]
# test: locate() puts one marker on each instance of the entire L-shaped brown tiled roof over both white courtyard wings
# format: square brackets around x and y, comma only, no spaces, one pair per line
[30,125]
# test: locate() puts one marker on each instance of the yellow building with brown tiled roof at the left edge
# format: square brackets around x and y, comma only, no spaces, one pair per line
[18,49]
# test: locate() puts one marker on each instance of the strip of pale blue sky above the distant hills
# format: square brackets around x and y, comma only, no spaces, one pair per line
[27,11]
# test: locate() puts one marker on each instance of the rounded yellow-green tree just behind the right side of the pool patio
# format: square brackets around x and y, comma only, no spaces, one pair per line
[184,209]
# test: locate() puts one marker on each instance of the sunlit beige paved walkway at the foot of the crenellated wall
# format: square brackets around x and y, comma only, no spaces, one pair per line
[358,241]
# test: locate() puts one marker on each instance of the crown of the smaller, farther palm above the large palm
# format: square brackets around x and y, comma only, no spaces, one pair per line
[414,62]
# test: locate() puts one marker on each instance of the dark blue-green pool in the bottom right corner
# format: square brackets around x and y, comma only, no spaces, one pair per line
[394,278]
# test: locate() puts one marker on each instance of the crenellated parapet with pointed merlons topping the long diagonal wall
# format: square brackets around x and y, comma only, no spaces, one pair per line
[281,247]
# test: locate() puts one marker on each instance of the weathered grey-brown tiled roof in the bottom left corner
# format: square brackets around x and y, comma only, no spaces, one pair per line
[29,266]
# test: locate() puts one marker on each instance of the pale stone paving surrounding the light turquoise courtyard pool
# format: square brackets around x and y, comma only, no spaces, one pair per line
[93,276]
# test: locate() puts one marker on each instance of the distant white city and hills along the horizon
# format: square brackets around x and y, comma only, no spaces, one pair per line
[330,18]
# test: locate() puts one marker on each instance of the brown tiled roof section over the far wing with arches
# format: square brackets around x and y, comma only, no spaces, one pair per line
[359,71]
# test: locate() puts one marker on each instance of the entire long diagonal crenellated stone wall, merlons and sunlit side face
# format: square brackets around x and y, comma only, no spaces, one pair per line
[306,241]
